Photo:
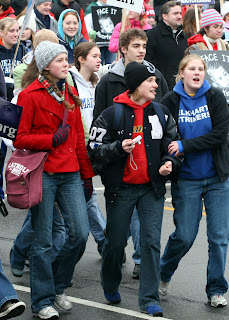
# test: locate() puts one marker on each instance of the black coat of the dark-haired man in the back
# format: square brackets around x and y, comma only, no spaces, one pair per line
[165,50]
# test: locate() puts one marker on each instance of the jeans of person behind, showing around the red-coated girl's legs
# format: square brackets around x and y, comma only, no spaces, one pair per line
[22,244]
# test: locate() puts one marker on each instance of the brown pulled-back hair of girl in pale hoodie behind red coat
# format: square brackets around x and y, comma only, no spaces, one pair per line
[82,50]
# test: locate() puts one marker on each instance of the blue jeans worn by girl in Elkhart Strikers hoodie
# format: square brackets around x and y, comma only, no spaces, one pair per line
[188,197]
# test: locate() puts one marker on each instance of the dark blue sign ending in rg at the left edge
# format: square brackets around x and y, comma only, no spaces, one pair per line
[10,115]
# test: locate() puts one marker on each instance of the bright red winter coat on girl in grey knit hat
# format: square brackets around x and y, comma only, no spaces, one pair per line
[41,117]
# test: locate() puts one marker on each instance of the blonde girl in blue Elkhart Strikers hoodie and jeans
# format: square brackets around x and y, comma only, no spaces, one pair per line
[202,117]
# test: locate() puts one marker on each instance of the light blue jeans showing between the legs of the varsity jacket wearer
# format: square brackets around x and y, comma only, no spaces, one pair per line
[135,233]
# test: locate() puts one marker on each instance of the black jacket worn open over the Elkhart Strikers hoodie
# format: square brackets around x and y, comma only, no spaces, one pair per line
[217,139]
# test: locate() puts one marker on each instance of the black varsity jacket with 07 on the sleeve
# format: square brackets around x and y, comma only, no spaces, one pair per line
[109,159]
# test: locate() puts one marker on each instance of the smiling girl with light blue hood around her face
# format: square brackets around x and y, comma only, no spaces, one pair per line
[69,31]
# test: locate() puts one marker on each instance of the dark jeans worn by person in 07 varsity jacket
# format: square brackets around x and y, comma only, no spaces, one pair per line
[120,206]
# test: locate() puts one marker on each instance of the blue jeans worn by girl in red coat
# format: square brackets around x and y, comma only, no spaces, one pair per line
[47,278]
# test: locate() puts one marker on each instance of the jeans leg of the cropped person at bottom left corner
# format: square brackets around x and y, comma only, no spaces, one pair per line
[7,291]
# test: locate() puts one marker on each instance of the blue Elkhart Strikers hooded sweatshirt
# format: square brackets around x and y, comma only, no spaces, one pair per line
[193,121]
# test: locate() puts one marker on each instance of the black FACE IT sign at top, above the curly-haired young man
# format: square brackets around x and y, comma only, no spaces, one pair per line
[104,20]
